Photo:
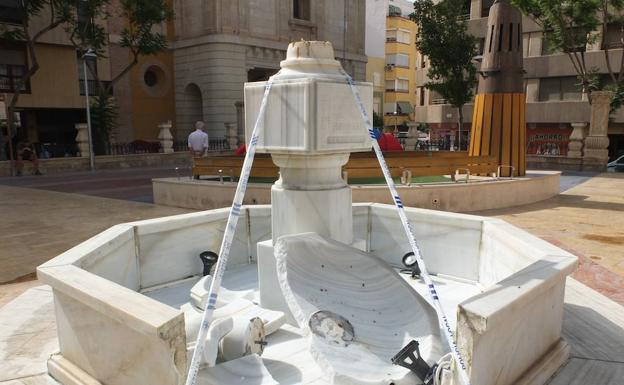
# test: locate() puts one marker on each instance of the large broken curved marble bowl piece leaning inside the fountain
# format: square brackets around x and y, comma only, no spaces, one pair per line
[320,274]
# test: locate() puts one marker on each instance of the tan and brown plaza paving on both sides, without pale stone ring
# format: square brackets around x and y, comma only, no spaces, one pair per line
[40,217]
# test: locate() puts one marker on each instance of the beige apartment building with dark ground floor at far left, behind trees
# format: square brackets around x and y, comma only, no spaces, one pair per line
[53,101]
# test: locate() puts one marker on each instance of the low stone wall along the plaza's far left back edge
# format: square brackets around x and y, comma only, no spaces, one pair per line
[104,162]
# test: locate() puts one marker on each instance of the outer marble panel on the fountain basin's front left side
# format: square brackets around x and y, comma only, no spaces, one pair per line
[113,353]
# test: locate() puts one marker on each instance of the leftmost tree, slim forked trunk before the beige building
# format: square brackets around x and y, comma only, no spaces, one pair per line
[48,14]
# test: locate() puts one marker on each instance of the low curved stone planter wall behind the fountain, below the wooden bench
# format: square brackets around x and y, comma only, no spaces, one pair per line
[455,197]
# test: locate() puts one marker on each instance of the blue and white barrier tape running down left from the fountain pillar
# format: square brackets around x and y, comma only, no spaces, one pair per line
[226,244]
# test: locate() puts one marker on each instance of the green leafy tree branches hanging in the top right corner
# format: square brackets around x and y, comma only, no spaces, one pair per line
[569,26]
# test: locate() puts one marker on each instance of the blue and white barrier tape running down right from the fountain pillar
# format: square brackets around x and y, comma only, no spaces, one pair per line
[444,322]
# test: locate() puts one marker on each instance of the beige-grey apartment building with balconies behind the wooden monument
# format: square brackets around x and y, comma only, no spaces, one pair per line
[554,101]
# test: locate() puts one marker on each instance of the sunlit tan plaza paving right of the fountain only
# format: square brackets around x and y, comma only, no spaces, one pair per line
[586,220]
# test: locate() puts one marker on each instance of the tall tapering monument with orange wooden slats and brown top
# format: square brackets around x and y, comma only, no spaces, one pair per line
[498,123]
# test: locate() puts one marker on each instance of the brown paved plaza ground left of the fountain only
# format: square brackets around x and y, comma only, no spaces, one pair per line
[37,224]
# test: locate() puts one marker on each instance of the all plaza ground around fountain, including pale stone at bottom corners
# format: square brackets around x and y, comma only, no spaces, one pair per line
[37,224]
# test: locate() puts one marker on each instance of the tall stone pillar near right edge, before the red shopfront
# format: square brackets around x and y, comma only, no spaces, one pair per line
[597,141]
